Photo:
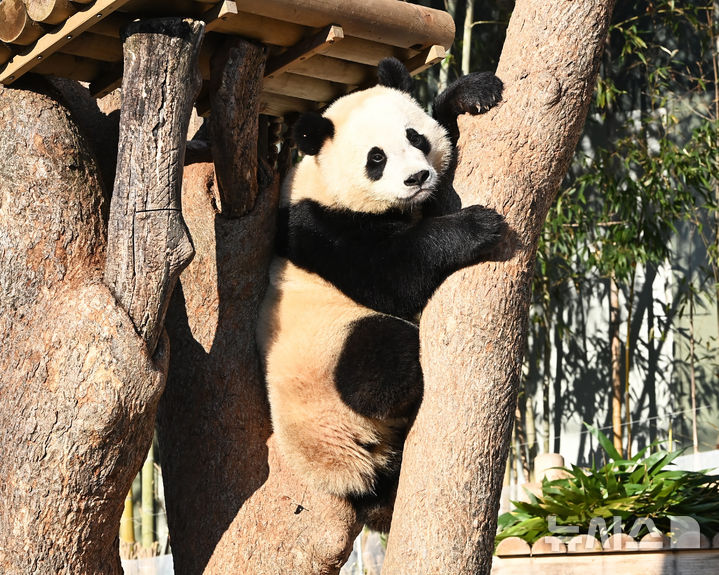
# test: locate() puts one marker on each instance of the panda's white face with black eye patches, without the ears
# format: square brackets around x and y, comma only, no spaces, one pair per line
[384,153]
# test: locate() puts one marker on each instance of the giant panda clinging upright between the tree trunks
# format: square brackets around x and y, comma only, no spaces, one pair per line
[357,258]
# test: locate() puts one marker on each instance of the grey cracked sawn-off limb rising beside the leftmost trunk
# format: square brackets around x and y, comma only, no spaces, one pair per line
[148,243]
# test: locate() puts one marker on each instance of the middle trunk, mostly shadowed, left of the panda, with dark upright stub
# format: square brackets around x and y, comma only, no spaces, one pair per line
[214,424]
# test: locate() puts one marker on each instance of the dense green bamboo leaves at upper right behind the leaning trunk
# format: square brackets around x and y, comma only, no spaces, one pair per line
[629,193]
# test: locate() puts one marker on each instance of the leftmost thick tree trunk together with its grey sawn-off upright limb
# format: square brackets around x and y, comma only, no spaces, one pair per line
[79,387]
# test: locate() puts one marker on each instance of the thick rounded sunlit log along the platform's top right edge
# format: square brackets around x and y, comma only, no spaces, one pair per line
[397,23]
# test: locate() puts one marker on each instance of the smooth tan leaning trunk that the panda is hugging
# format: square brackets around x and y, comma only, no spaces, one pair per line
[473,331]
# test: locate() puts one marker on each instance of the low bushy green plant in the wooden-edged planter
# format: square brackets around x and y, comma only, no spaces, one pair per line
[645,486]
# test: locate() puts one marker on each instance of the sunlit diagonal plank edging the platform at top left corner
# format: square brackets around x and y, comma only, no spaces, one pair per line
[53,41]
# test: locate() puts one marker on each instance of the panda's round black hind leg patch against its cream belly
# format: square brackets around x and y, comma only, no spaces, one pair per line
[378,374]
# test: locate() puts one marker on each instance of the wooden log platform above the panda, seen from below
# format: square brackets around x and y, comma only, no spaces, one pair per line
[318,49]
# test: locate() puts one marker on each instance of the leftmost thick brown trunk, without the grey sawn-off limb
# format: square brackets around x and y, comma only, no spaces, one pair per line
[78,391]
